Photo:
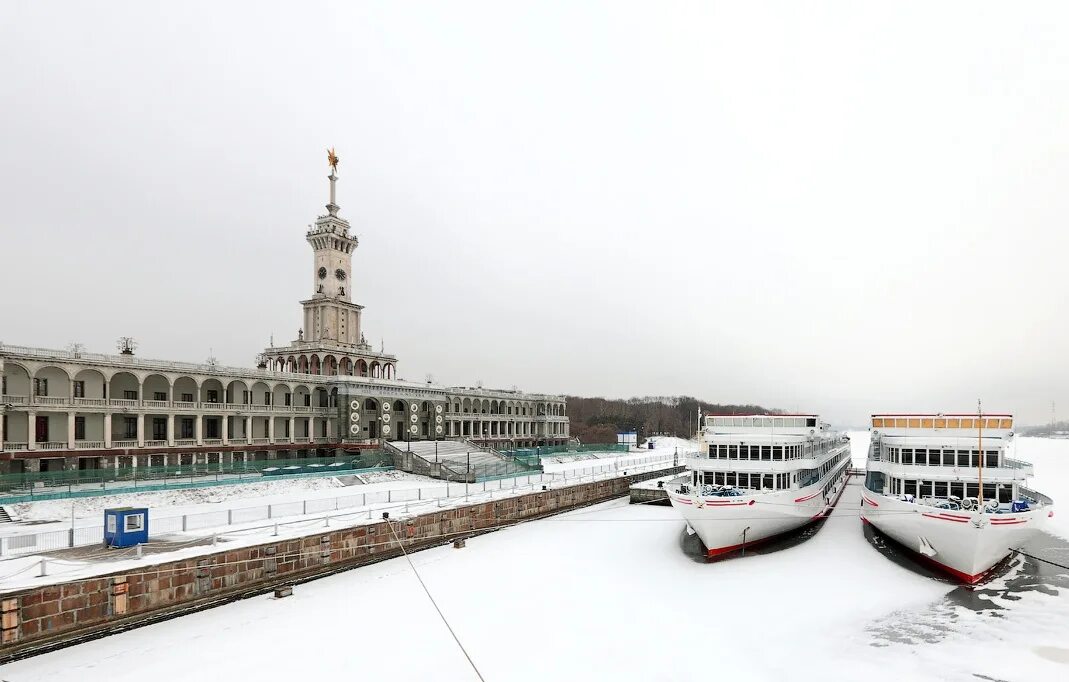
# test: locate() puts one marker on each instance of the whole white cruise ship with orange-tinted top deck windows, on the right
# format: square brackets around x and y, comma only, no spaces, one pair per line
[943,487]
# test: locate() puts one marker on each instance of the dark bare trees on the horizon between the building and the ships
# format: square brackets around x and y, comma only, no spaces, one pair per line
[600,420]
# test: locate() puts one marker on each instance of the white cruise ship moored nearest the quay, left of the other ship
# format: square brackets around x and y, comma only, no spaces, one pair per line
[760,476]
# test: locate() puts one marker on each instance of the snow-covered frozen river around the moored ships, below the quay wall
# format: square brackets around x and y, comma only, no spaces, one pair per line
[612,593]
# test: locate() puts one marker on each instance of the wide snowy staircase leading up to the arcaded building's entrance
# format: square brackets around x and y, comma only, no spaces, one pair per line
[455,460]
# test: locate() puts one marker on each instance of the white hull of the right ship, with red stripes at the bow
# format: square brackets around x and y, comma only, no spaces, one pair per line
[964,545]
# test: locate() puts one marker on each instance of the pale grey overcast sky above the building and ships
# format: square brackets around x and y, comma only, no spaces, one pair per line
[845,207]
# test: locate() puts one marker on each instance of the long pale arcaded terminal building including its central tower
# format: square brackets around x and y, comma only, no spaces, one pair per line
[326,393]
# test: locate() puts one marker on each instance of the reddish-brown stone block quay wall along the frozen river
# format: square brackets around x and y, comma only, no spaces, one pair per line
[42,618]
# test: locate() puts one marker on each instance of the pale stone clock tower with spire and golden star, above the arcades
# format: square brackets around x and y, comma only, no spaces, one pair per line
[330,315]
